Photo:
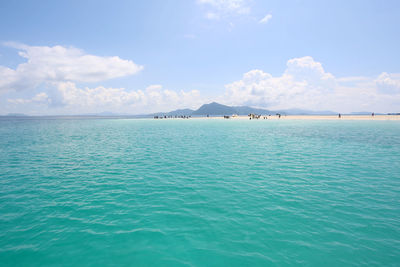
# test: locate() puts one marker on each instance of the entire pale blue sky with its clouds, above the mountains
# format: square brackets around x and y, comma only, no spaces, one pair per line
[137,57]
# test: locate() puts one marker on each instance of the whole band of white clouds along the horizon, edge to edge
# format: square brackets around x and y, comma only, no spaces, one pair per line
[53,76]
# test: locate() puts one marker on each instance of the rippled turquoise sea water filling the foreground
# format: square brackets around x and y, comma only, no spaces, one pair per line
[121,192]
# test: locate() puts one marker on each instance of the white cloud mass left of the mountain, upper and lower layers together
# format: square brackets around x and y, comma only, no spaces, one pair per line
[59,70]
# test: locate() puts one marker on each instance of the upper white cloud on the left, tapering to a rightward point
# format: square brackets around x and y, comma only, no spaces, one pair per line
[60,64]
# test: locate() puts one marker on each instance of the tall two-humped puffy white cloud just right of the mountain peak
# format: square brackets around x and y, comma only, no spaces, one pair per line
[303,78]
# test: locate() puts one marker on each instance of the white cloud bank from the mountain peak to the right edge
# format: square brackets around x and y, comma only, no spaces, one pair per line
[305,84]
